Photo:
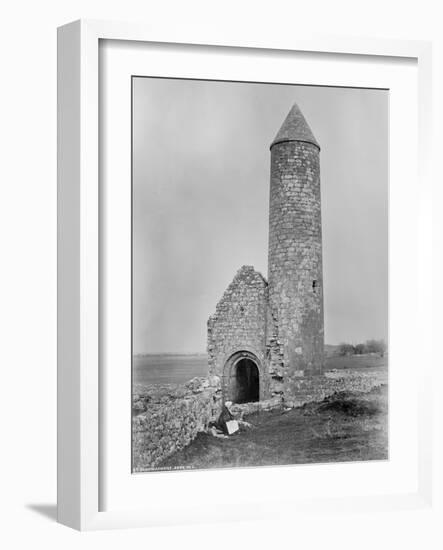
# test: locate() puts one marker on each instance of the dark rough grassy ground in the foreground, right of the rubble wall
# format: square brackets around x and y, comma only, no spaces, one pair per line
[344,427]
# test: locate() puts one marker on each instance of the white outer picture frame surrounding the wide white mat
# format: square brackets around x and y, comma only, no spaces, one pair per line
[79,205]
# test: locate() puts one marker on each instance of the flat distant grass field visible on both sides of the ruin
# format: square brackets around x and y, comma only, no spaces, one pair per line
[177,369]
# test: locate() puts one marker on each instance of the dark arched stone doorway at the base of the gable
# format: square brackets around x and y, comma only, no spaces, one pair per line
[241,379]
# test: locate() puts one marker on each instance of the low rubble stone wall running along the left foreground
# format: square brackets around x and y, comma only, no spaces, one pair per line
[167,418]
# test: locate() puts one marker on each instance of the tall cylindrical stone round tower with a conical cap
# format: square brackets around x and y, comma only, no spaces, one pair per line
[295,325]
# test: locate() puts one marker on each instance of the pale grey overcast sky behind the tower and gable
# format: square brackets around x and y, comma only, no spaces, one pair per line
[201,190]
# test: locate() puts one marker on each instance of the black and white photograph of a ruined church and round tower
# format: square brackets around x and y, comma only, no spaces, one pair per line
[259,274]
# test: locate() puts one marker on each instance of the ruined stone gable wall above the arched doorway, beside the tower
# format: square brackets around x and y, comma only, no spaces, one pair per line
[239,321]
